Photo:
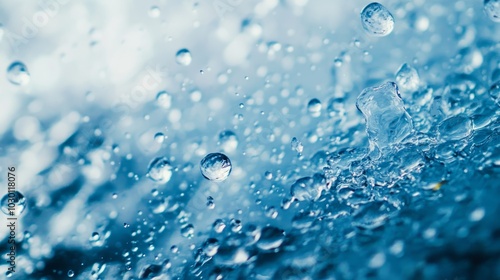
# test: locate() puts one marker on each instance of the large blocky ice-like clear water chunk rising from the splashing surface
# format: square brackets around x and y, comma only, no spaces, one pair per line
[387,121]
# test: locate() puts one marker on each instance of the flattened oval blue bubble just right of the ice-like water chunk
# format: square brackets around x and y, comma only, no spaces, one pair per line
[455,128]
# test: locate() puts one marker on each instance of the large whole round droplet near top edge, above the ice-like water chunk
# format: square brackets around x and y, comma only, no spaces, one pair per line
[377,20]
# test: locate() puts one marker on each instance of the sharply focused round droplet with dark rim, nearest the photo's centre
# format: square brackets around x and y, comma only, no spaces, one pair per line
[215,167]
